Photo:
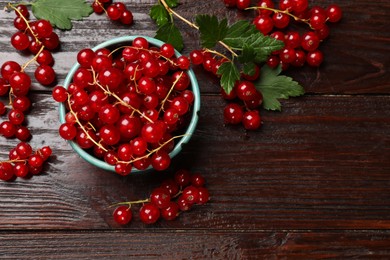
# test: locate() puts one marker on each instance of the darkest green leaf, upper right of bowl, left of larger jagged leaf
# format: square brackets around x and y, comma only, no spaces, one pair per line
[211,30]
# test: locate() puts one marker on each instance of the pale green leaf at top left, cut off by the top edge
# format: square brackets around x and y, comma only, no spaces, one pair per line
[60,13]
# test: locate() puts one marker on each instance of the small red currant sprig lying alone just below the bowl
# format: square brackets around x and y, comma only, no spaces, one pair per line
[167,201]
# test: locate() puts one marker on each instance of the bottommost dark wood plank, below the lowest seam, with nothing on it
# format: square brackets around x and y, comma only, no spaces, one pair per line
[151,244]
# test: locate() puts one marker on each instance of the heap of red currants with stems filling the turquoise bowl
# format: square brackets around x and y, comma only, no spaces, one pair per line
[126,105]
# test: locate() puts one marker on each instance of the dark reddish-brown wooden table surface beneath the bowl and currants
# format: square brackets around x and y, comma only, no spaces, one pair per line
[313,182]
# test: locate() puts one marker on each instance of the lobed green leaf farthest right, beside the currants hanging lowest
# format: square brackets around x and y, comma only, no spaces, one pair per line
[274,86]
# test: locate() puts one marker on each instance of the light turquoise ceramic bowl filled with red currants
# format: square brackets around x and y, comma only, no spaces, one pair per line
[179,144]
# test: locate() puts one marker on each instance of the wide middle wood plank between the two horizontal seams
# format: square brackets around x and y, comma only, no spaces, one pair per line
[322,163]
